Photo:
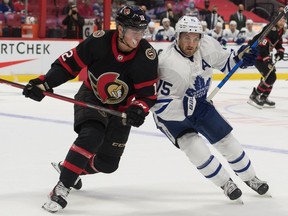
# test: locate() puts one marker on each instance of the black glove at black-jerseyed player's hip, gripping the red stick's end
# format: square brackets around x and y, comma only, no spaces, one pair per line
[135,116]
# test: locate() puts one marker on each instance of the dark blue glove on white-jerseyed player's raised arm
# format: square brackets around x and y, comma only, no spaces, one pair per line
[247,54]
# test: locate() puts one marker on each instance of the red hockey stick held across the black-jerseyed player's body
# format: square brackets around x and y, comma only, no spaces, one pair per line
[67,99]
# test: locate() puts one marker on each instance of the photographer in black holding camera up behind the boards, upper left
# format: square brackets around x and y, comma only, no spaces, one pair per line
[74,22]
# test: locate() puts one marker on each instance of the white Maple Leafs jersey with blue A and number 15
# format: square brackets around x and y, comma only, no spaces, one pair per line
[179,75]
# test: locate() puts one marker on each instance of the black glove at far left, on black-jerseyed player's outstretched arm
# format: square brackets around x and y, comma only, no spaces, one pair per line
[34,89]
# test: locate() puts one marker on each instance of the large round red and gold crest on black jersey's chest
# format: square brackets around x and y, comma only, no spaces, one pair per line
[108,88]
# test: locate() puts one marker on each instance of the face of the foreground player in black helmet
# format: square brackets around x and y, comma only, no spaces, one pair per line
[131,38]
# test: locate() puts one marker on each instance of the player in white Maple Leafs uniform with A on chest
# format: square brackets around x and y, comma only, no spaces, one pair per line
[184,115]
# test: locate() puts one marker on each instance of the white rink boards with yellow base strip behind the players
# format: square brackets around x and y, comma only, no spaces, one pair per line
[22,60]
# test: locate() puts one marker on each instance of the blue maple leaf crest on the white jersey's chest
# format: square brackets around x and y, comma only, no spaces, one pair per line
[200,88]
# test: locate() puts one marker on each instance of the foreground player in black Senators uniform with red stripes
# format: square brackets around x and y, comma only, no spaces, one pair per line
[121,75]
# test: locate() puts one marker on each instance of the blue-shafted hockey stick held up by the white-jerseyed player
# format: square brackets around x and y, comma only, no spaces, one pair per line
[255,44]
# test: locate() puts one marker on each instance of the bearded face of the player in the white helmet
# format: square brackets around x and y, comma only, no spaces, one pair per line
[188,43]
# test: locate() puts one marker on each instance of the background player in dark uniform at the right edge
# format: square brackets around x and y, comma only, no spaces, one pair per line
[264,64]
